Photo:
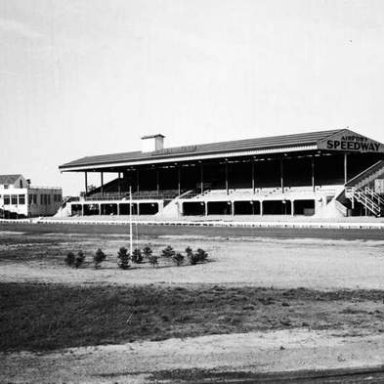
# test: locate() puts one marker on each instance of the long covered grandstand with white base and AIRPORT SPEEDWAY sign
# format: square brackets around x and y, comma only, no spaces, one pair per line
[321,174]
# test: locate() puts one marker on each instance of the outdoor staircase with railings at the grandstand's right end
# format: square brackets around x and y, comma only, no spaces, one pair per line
[359,189]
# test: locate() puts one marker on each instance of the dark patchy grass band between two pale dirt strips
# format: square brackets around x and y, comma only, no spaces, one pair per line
[46,317]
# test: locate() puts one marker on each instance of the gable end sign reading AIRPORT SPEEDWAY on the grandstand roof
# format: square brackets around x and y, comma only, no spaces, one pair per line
[348,141]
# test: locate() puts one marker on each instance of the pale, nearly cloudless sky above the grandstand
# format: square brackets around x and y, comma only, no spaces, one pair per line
[89,77]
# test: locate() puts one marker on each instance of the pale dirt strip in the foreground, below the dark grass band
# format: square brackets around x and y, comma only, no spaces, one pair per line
[251,352]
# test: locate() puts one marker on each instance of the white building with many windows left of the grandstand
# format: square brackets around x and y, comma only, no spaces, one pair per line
[19,198]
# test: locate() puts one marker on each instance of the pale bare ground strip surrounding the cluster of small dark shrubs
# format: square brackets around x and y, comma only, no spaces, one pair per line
[282,262]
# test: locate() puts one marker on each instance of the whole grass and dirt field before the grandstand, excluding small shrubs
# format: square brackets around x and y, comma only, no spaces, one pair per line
[264,287]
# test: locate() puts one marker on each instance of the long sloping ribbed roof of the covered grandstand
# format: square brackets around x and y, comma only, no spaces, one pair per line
[275,144]
